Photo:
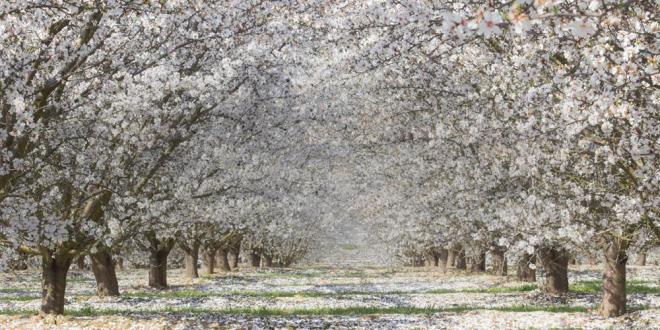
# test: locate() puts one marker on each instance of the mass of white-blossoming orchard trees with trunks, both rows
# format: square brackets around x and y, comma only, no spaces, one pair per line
[527,130]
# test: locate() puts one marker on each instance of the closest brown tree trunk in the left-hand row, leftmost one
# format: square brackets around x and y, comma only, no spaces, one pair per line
[53,276]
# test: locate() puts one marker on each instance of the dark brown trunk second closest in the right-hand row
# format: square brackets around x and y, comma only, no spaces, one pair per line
[555,263]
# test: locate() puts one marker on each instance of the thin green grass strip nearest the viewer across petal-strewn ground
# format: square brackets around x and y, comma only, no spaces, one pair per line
[90,311]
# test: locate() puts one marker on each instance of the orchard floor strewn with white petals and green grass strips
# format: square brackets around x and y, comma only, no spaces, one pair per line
[327,297]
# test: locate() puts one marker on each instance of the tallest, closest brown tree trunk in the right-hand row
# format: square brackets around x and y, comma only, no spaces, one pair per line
[614,279]
